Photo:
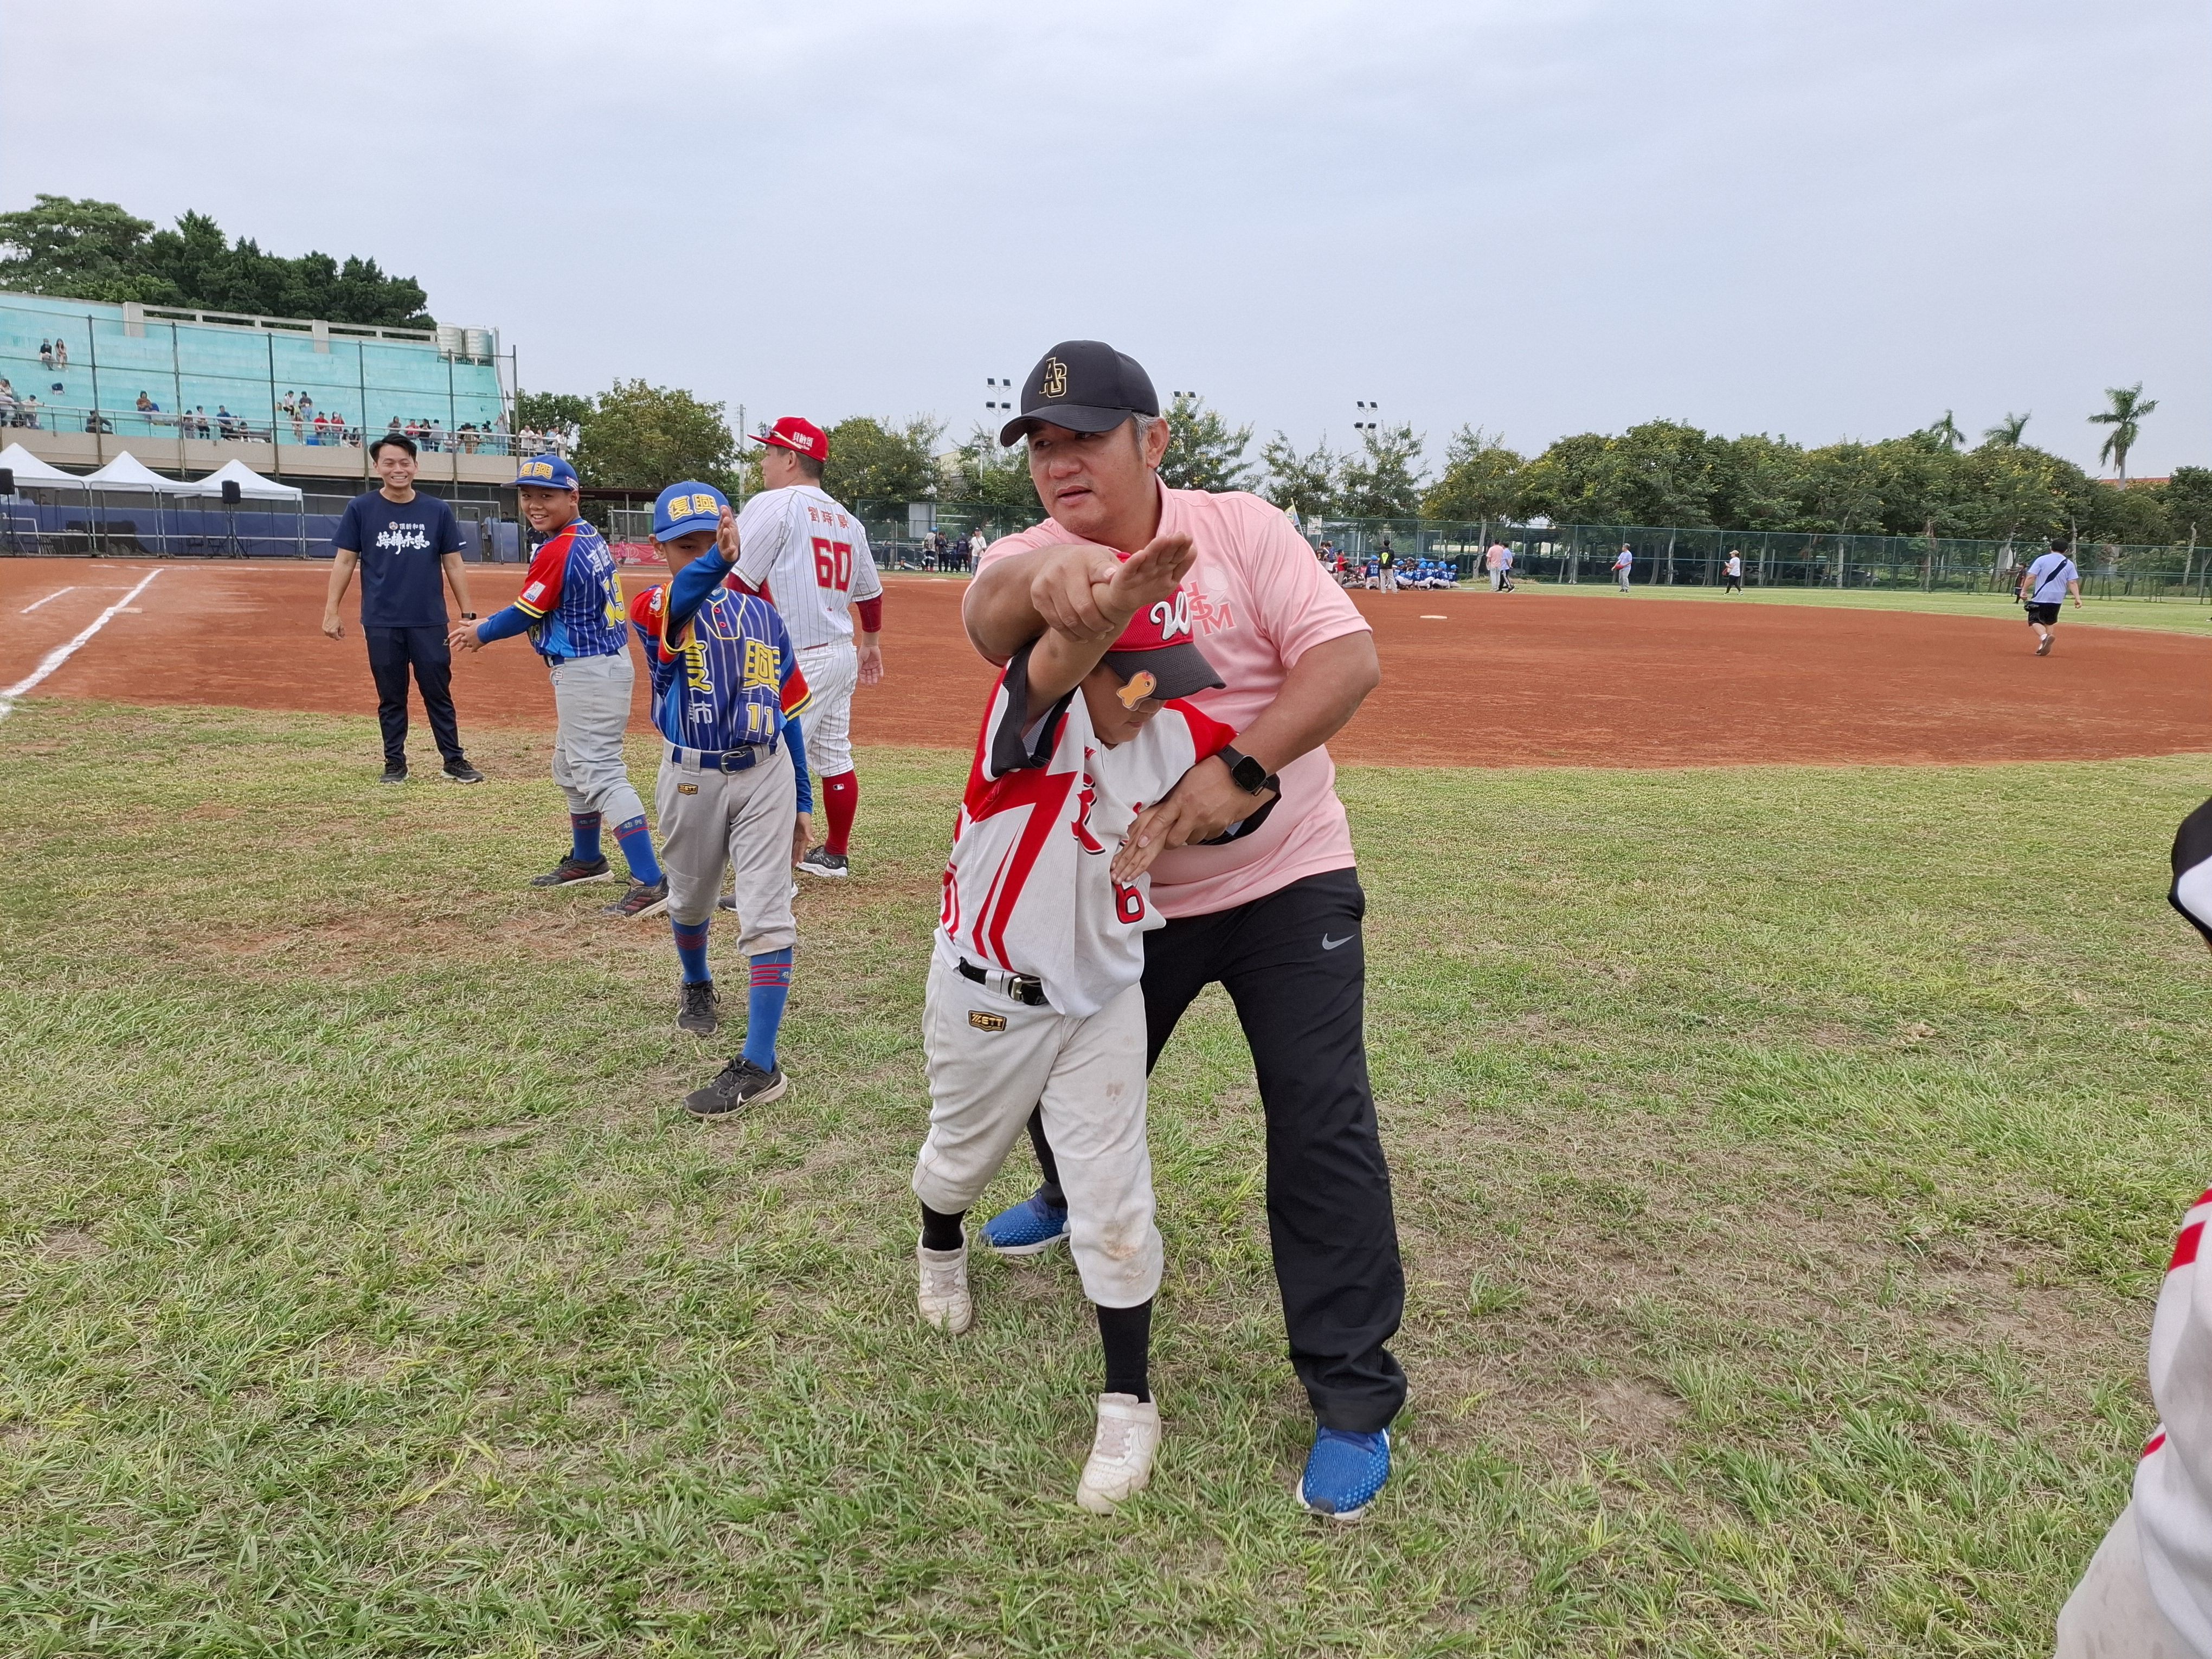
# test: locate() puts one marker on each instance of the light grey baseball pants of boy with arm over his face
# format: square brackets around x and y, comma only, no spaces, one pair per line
[740,822]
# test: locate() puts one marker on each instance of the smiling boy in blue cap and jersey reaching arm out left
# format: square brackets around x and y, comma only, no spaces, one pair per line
[572,609]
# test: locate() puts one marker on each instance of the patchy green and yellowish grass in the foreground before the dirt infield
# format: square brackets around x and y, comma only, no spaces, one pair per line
[1784,1162]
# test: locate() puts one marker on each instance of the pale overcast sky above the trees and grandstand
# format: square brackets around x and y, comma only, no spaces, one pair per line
[1815,218]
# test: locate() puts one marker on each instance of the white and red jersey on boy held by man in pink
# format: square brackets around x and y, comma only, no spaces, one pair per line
[1047,806]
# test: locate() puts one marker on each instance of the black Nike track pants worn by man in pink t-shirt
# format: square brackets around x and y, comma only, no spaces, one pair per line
[1295,968]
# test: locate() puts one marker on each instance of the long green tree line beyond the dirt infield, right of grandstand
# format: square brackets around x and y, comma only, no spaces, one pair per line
[1662,472]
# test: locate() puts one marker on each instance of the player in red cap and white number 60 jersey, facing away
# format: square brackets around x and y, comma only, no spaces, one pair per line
[808,559]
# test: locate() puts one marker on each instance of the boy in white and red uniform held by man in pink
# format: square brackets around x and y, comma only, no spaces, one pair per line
[1034,985]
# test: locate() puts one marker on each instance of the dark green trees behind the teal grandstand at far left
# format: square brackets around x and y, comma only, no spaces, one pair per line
[96,251]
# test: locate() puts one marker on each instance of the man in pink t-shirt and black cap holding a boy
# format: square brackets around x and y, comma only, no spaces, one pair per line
[1253,866]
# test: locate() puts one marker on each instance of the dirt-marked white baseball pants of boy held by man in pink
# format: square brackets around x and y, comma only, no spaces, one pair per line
[990,1063]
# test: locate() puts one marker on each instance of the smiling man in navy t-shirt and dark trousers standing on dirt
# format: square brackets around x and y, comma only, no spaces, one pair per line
[406,545]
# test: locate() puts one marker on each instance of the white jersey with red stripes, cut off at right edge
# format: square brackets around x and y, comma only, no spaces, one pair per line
[2173,1485]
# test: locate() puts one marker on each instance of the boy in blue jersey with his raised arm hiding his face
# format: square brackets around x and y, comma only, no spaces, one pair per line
[735,791]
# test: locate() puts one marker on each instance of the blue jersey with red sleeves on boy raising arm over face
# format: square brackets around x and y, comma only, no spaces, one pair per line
[724,669]
